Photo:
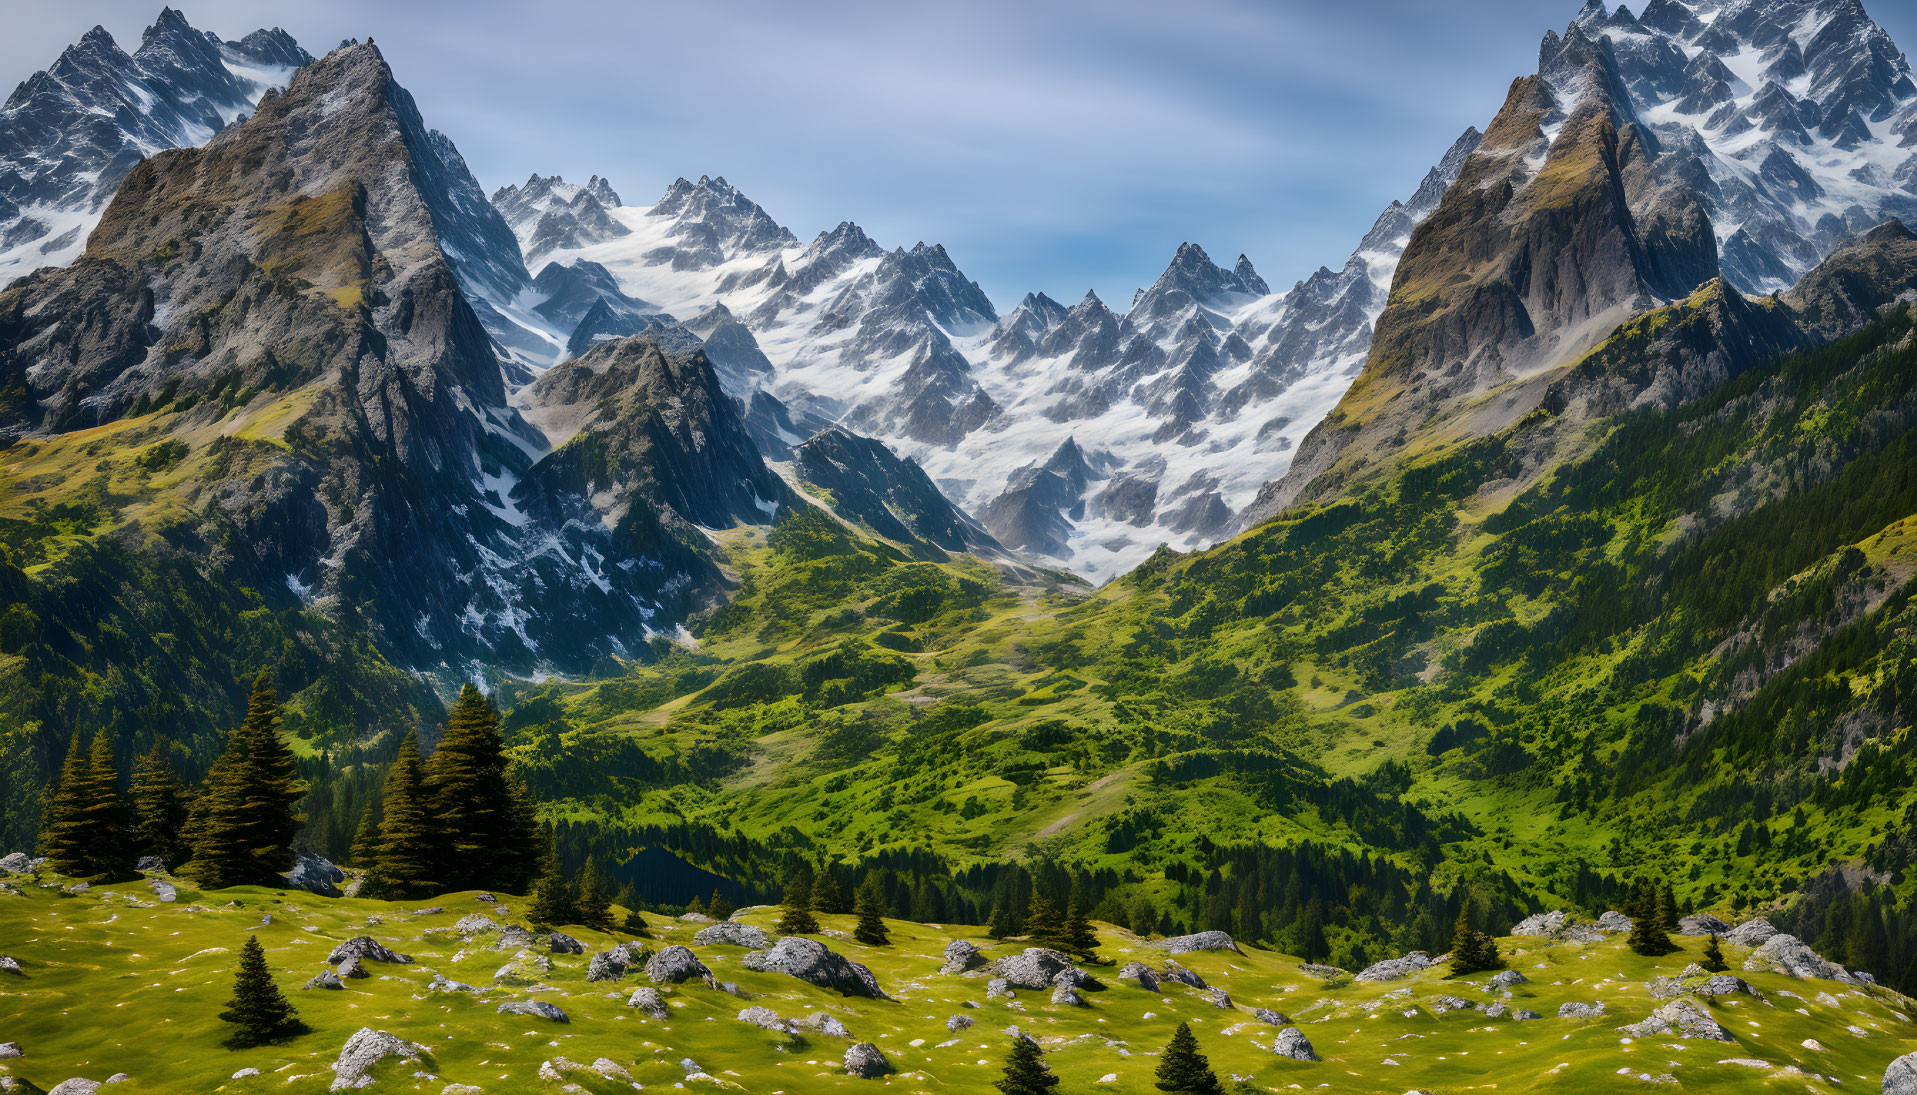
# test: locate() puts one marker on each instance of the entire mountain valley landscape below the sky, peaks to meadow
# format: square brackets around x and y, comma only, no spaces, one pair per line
[1489,663]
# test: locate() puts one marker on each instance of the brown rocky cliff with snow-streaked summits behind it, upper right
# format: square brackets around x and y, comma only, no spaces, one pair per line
[1648,156]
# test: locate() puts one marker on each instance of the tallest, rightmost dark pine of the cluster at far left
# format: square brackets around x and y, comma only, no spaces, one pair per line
[244,833]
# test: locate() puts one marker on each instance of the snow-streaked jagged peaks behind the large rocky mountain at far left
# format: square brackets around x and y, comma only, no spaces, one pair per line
[68,135]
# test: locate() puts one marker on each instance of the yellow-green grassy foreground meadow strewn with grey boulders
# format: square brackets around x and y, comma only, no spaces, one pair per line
[154,977]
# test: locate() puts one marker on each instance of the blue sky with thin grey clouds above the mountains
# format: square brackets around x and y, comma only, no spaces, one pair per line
[1051,147]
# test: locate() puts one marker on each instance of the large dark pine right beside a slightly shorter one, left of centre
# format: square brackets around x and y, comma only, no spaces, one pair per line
[480,810]
